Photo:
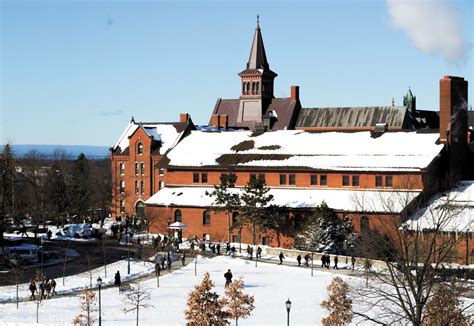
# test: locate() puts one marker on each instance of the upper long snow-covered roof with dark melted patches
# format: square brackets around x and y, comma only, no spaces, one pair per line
[356,151]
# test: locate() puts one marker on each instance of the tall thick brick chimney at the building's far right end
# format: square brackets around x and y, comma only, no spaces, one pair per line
[453,109]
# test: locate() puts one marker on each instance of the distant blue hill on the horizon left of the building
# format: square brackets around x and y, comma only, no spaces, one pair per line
[92,152]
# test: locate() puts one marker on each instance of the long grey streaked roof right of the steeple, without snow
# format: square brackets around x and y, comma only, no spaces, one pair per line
[343,118]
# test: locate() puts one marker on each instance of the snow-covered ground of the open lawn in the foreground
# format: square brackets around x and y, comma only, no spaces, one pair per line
[271,285]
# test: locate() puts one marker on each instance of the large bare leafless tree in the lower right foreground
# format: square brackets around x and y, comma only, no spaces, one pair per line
[399,293]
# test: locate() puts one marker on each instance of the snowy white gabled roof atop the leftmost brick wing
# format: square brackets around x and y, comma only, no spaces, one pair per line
[166,133]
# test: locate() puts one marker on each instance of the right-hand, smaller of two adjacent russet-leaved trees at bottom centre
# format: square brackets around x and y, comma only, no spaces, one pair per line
[239,305]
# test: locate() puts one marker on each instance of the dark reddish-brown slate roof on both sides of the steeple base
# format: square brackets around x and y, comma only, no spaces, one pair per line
[285,110]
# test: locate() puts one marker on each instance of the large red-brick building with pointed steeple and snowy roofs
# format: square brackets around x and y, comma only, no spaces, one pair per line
[356,159]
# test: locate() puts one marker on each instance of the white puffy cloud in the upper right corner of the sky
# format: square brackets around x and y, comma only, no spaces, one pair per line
[432,25]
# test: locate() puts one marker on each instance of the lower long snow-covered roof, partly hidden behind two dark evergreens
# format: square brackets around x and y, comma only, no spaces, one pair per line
[339,199]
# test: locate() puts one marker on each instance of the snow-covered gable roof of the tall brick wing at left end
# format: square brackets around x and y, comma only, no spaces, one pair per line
[167,133]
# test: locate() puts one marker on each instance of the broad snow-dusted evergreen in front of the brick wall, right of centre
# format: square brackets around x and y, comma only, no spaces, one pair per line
[325,231]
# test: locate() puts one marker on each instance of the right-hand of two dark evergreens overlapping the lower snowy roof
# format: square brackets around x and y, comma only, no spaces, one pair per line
[255,204]
